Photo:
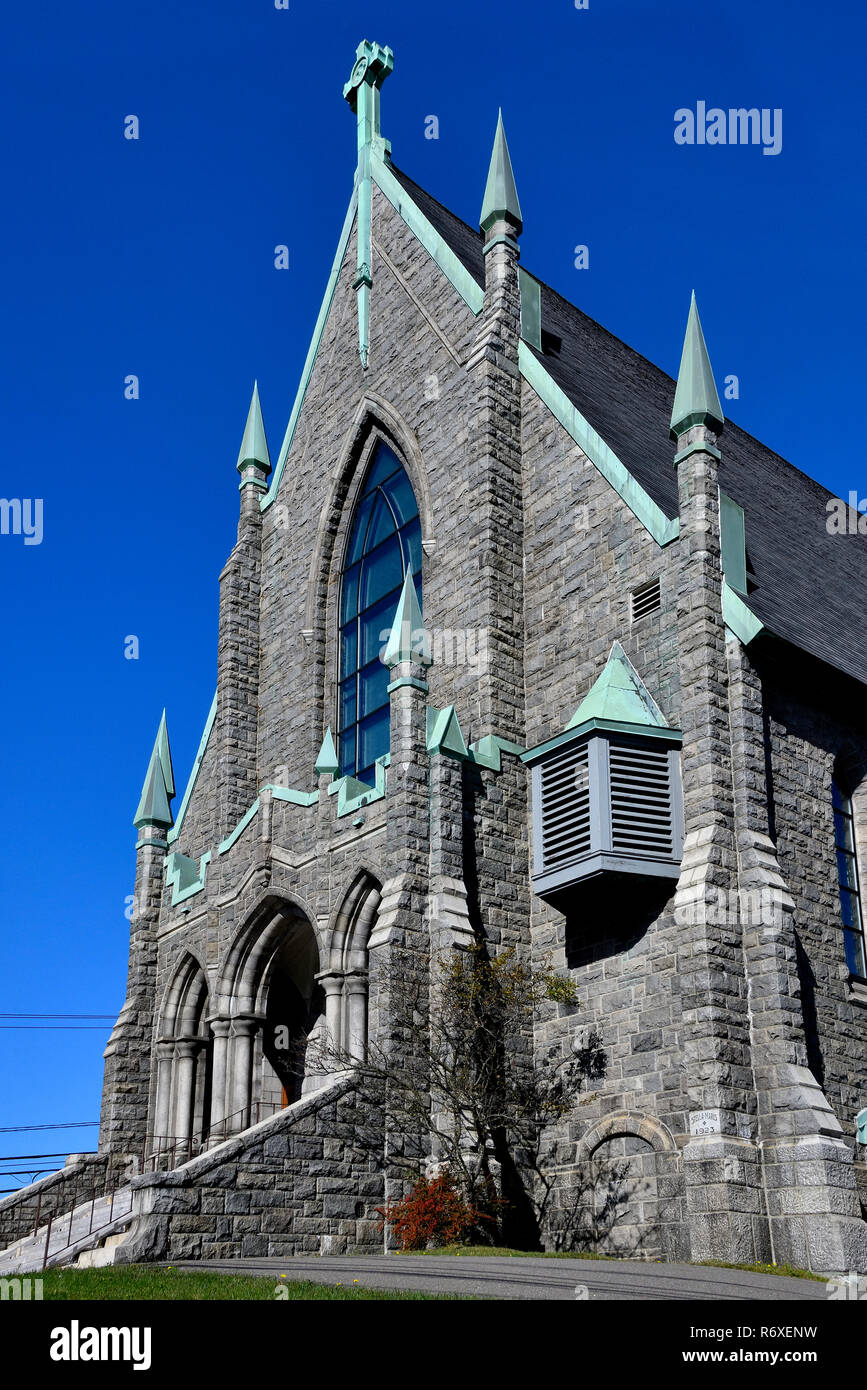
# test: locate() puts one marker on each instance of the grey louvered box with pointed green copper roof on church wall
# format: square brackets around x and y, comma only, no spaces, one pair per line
[606,793]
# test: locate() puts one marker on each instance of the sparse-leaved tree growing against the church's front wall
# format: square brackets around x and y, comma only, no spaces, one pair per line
[461,1085]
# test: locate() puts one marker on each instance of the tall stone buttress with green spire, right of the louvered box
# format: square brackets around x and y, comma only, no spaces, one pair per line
[726,1204]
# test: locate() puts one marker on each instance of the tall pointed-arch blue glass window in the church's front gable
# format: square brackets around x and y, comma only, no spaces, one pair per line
[386,543]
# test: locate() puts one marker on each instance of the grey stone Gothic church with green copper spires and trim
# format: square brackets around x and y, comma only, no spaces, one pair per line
[523,644]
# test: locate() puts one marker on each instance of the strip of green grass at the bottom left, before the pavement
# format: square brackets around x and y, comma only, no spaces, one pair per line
[154,1284]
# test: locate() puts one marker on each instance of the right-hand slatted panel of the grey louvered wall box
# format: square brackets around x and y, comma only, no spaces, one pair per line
[641,801]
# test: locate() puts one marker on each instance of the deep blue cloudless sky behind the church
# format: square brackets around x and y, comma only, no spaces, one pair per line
[156,258]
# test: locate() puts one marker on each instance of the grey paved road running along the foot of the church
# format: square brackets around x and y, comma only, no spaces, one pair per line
[501,1277]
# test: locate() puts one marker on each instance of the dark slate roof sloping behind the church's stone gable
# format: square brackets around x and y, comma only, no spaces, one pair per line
[807,586]
